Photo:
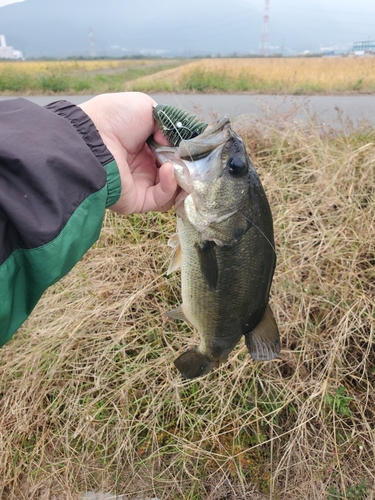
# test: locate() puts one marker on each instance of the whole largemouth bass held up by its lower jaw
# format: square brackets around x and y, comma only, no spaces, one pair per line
[224,246]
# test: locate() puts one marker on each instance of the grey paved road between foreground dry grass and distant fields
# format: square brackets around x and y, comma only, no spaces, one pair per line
[298,108]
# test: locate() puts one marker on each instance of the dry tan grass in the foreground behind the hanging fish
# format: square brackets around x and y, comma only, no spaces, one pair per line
[90,398]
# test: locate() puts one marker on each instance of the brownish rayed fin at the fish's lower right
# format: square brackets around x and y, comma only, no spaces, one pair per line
[263,342]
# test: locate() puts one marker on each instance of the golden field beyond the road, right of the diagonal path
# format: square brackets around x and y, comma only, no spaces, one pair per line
[269,75]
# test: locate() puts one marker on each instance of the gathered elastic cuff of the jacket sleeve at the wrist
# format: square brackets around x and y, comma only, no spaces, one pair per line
[89,133]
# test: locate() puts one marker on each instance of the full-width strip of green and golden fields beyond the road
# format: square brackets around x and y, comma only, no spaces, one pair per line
[269,75]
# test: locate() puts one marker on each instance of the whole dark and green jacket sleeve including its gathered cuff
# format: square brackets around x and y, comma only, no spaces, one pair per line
[56,179]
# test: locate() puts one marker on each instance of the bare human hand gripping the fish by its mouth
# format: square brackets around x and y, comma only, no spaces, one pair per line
[125,122]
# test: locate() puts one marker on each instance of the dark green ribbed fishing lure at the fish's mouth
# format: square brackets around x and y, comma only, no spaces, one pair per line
[177,124]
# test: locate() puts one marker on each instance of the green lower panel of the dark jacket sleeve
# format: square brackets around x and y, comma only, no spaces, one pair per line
[26,274]
